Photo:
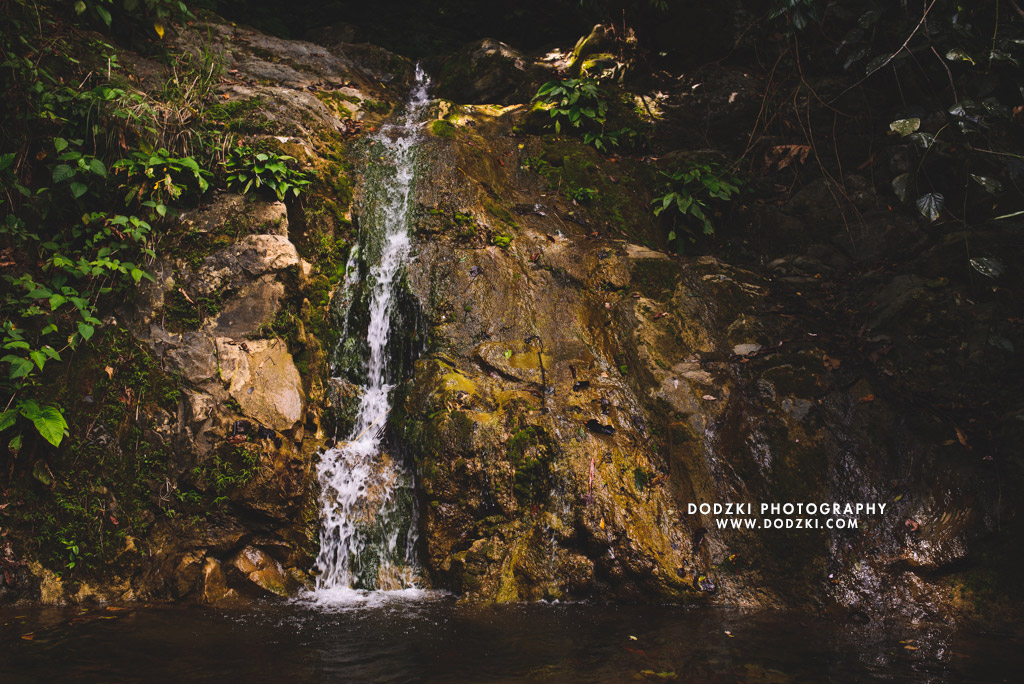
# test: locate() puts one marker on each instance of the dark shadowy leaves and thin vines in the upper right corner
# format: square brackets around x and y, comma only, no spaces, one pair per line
[954,72]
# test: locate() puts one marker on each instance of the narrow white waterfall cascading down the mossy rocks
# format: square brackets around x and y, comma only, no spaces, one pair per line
[368,530]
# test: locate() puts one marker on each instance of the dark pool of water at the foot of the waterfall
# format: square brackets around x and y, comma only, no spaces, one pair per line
[437,640]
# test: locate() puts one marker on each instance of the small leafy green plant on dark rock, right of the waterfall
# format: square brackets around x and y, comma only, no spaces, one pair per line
[687,194]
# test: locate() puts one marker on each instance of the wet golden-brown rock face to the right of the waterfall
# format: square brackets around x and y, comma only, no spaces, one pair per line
[581,392]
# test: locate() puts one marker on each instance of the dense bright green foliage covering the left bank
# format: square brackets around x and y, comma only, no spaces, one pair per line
[70,237]
